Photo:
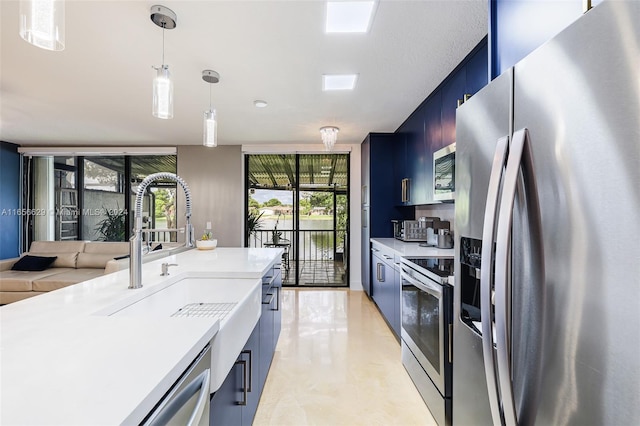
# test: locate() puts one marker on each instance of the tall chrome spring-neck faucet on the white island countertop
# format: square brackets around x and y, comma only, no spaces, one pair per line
[135,257]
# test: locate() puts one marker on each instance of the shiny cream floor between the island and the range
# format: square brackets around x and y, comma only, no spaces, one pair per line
[337,363]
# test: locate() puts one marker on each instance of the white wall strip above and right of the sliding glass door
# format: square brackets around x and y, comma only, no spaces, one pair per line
[355,255]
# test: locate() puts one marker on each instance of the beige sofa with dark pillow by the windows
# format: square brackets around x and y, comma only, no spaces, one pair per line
[76,261]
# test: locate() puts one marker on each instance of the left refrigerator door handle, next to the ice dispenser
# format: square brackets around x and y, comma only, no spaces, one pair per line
[486,284]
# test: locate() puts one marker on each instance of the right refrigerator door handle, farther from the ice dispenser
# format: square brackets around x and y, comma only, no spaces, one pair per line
[519,165]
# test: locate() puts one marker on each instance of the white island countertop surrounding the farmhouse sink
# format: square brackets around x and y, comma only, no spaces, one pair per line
[65,361]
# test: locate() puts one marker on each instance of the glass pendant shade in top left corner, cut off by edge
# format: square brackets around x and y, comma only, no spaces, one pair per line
[42,23]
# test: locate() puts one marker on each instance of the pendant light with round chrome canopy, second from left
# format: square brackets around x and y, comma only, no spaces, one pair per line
[165,18]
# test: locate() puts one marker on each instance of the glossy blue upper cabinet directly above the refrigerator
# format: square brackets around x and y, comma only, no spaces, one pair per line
[518,27]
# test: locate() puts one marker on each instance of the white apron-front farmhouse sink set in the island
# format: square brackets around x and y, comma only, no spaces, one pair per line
[243,295]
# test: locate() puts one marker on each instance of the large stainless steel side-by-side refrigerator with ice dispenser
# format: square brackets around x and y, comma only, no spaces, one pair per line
[547,287]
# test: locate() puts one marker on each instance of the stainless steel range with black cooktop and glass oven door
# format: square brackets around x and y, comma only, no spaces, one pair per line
[425,334]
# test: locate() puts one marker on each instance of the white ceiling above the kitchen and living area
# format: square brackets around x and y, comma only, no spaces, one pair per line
[97,92]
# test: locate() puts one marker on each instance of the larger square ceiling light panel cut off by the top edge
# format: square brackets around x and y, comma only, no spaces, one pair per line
[349,16]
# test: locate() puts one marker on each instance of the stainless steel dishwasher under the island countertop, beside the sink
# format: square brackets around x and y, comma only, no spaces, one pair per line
[187,402]
